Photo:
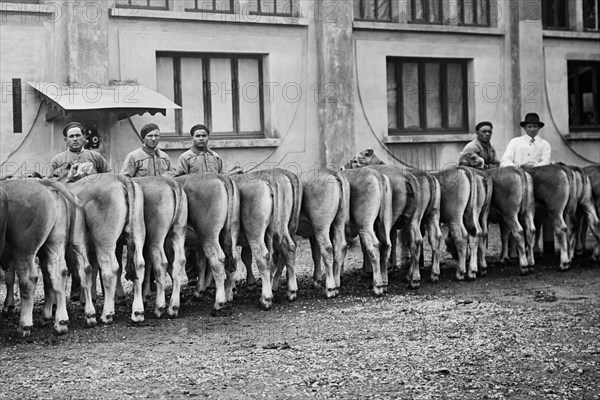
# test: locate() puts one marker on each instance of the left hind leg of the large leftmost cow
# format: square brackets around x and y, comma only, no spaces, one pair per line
[28,277]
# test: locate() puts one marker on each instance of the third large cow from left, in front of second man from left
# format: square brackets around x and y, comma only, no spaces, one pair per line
[165,218]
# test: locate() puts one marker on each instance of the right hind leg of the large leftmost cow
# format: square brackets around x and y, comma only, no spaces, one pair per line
[57,271]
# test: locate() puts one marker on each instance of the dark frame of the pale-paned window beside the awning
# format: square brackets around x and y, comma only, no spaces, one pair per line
[207,100]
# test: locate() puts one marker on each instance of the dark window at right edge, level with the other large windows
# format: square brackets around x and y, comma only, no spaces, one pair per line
[584,95]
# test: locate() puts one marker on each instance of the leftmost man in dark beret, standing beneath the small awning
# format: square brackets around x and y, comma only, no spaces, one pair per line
[76,154]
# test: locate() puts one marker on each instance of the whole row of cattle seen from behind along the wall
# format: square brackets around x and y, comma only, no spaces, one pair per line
[80,226]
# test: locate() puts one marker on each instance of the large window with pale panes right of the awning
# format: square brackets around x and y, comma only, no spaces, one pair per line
[224,92]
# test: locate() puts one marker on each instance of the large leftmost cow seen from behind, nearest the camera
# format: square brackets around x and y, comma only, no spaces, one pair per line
[39,224]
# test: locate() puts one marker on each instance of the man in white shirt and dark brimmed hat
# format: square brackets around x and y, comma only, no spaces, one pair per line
[529,149]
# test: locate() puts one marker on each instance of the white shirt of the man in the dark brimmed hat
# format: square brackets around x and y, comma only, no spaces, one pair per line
[526,150]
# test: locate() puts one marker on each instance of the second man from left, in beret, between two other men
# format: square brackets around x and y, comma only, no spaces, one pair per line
[148,160]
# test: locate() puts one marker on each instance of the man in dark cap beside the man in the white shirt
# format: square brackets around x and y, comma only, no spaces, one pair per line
[479,152]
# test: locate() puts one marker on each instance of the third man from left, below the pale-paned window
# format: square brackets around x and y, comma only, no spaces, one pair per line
[199,158]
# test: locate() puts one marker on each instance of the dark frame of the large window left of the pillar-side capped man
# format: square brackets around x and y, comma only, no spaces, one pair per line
[423,130]
